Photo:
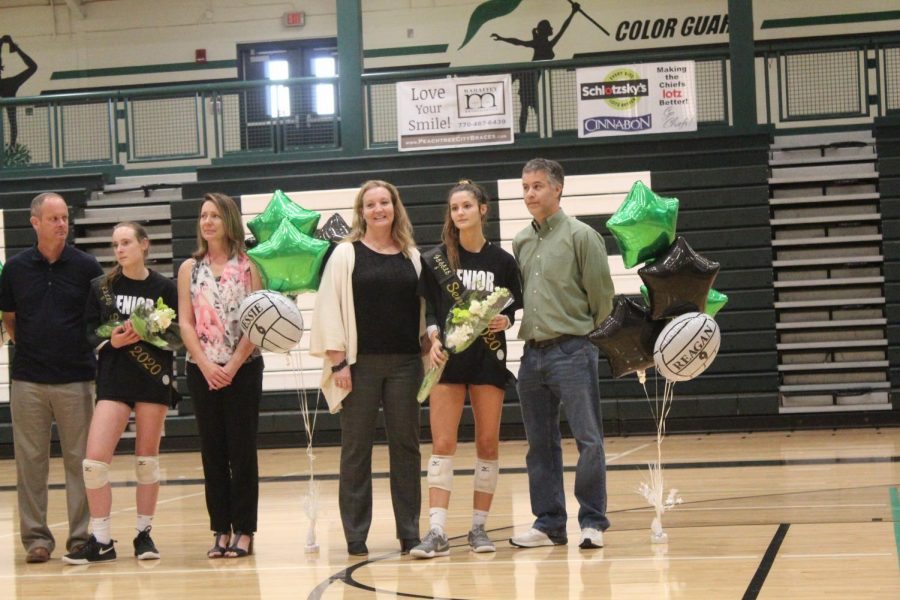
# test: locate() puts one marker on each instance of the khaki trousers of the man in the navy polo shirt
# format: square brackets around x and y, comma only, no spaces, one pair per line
[34,407]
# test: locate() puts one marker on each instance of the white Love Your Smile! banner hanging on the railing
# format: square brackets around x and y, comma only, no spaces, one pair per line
[452,113]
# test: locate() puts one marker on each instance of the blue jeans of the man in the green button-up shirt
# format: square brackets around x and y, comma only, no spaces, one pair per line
[565,373]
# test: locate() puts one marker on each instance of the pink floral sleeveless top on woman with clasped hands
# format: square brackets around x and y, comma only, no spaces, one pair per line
[216,305]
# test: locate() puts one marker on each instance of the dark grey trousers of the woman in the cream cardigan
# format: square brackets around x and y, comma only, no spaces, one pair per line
[388,382]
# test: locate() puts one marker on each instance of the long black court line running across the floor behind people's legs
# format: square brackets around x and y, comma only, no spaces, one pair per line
[520,470]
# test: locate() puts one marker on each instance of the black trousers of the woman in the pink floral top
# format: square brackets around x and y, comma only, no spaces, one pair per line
[227,420]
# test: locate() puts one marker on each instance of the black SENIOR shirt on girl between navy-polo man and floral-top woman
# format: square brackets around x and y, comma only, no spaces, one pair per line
[118,376]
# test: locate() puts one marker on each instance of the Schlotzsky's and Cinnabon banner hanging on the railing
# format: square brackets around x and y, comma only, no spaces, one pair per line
[632,99]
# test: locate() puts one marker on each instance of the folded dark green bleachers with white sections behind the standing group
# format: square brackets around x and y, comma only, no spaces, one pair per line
[722,183]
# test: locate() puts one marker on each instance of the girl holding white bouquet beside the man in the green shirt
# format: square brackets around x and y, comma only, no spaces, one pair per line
[480,369]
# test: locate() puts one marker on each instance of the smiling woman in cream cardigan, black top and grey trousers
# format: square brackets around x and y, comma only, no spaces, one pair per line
[367,326]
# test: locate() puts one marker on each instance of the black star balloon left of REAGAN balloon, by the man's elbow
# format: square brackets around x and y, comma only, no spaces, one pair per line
[627,336]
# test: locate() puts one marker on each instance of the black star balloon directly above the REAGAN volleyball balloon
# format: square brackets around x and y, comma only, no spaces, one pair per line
[679,281]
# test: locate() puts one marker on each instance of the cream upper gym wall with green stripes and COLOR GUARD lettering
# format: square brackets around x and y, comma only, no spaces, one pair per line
[120,43]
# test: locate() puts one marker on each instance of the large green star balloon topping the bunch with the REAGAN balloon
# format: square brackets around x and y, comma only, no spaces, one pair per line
[644,225]
